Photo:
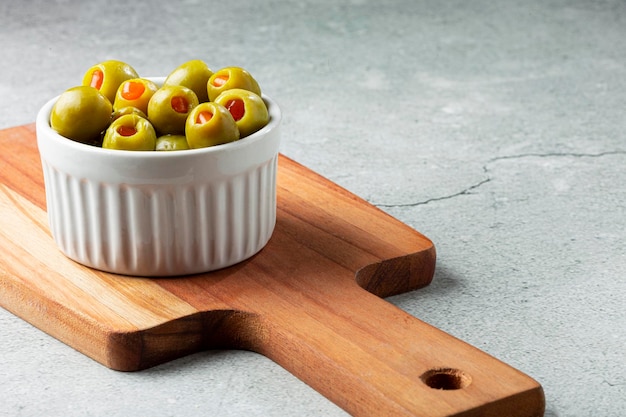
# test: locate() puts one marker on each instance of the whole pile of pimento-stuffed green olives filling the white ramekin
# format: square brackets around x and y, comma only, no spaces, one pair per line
[194,108]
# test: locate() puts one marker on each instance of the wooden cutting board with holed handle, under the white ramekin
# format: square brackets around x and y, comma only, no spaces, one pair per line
[310,301]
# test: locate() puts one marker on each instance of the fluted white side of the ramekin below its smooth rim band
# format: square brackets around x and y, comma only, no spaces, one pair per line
[162,231]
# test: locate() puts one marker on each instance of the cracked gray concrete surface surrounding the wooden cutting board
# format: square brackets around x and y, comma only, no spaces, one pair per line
[494,128]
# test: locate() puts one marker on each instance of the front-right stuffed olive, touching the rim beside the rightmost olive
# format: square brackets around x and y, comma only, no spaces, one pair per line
[210,124]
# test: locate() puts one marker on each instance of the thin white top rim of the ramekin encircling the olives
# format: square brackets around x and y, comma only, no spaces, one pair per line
[43,124]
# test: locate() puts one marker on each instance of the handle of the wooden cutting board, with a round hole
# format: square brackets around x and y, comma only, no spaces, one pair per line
[343,341]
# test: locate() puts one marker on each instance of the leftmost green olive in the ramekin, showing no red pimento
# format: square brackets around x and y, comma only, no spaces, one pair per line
[81,114]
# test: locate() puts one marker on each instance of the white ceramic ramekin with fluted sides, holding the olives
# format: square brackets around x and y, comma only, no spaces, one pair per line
[160,213]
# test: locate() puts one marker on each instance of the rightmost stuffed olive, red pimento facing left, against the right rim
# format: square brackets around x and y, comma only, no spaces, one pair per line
[247,108]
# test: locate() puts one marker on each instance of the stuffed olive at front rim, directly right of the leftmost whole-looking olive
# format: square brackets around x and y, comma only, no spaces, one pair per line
[130,132]
